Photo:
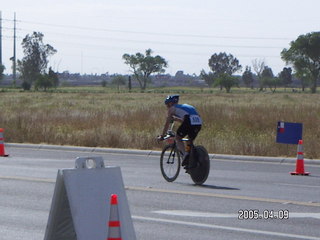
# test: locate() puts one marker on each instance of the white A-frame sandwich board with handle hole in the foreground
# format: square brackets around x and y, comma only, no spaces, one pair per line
[80,205]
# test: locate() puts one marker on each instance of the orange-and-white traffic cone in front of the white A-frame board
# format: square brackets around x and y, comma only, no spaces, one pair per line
[114,232]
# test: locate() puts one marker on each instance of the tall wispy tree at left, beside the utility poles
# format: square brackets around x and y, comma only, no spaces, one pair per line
[35,60]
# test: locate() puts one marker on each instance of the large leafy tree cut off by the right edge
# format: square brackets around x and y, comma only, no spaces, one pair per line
[304,55]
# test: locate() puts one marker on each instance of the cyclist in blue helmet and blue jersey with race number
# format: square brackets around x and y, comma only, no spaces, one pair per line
[190,121]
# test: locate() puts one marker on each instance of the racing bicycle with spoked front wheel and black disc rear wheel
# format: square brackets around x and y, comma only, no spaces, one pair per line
[197,166]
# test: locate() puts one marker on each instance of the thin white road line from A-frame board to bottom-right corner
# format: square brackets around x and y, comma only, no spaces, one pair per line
[214,226]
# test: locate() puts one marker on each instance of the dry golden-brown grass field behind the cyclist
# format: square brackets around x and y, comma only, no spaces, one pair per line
[238,123]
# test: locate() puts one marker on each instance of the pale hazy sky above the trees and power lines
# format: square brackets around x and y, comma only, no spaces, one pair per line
[91,36]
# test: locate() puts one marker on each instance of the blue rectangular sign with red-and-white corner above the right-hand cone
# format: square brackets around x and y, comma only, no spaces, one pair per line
[289,133]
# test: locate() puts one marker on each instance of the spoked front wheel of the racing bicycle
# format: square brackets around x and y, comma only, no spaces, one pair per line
[170,163]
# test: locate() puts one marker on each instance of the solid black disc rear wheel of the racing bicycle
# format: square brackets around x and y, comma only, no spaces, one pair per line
[200,174]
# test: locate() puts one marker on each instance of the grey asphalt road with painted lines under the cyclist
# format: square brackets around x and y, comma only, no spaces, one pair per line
[178,210]
